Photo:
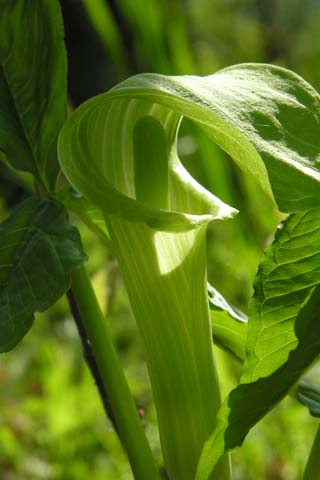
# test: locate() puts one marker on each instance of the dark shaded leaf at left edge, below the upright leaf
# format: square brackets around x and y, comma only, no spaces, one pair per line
[38,250]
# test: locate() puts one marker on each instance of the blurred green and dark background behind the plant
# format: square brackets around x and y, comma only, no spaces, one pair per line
[52,424]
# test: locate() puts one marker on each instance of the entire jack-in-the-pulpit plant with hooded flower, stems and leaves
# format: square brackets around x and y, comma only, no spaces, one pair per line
[119,152]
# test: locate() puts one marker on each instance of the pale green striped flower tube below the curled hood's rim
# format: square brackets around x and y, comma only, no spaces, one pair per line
[169,302]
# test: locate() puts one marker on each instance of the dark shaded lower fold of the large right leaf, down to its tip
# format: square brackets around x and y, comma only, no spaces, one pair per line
[248,403]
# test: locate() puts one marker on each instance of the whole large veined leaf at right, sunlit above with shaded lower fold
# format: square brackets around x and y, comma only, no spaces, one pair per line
[283,333]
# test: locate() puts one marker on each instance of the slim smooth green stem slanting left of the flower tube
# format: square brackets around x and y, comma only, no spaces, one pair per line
[122,404]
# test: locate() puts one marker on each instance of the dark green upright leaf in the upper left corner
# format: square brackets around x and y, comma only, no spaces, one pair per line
[33,88]
